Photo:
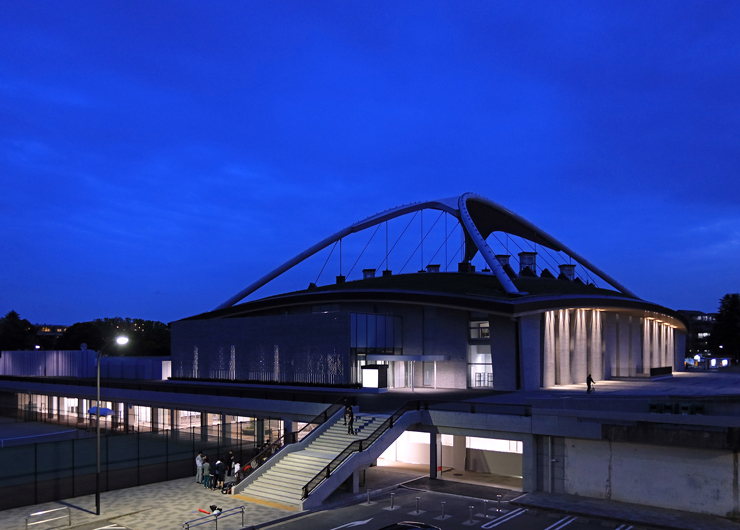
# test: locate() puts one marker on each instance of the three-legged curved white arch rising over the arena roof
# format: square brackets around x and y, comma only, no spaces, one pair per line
[478,216]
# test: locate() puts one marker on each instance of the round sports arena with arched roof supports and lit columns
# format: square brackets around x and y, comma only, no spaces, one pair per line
[534,327]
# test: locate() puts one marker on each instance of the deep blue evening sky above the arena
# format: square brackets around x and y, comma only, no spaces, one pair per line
[157,157]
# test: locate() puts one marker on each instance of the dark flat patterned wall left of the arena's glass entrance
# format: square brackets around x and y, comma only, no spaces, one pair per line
[307,348]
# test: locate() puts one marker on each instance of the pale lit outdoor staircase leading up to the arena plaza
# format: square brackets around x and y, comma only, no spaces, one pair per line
[283,482]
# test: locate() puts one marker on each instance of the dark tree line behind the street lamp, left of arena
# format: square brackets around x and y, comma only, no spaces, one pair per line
[146,337]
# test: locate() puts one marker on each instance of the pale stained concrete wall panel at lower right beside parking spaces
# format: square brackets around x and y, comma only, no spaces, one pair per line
[692,479]
